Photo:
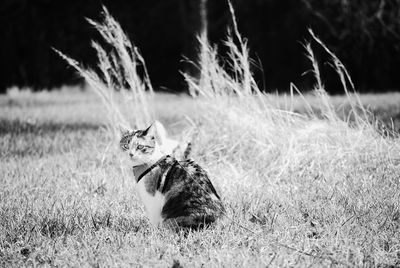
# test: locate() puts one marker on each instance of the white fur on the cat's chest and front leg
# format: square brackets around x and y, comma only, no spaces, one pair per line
[152,203]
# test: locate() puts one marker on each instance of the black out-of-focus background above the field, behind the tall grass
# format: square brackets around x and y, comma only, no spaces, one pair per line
[365,35]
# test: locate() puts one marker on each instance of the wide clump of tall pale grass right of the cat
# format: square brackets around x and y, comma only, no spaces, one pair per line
[234,103]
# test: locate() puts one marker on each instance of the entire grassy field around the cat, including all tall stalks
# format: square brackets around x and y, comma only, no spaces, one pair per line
[307,180]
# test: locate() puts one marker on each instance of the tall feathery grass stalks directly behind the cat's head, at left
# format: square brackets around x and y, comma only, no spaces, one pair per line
[120,79]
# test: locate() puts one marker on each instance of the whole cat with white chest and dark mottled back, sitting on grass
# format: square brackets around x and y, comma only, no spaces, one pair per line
[175,193]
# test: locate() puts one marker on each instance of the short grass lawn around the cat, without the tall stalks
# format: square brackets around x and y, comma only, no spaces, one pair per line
[66,201]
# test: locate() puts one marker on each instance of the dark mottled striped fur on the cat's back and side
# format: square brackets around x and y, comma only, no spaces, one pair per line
[190,198]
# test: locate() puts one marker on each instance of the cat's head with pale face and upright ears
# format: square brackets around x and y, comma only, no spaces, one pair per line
[142,146]
